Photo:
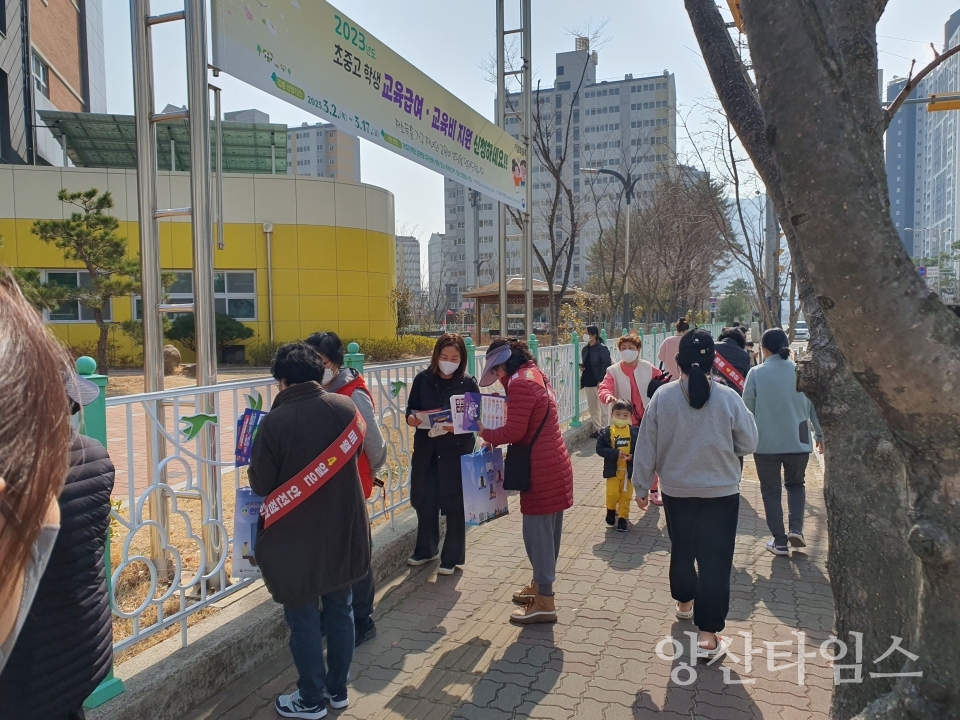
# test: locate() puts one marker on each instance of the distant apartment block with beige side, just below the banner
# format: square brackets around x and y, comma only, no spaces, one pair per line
[320,150]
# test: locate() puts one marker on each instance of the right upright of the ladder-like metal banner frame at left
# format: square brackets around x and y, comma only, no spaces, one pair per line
[199,105]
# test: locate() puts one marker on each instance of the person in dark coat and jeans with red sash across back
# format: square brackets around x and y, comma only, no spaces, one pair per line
[313,535]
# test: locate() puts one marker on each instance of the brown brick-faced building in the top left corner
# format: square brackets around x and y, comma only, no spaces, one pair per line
[51,58]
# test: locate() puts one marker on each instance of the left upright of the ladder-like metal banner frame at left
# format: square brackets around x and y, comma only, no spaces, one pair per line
[151,287]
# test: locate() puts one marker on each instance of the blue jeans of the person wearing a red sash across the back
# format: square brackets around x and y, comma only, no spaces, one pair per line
[306,645]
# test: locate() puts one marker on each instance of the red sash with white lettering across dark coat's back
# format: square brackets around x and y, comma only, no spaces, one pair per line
[315,475]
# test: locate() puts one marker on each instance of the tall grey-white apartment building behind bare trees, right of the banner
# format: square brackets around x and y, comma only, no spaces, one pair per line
[625,125]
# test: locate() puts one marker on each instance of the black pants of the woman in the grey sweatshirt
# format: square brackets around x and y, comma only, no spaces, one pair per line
[703,532]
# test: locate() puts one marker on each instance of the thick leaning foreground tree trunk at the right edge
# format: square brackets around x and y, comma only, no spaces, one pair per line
[816,65]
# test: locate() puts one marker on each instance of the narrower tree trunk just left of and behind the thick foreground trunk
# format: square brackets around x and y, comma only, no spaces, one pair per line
[872,570]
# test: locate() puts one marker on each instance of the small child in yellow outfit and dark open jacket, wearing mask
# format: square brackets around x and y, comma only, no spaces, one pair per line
[615,445]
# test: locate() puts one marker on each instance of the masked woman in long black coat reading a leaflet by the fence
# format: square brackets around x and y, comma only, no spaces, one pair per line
[435,481]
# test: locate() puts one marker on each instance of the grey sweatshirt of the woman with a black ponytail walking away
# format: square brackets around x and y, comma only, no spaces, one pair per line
[693,451]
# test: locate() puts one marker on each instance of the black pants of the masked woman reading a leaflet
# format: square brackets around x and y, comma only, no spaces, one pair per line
[431,502]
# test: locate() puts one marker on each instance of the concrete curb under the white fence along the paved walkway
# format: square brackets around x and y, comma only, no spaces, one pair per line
[166,681]
